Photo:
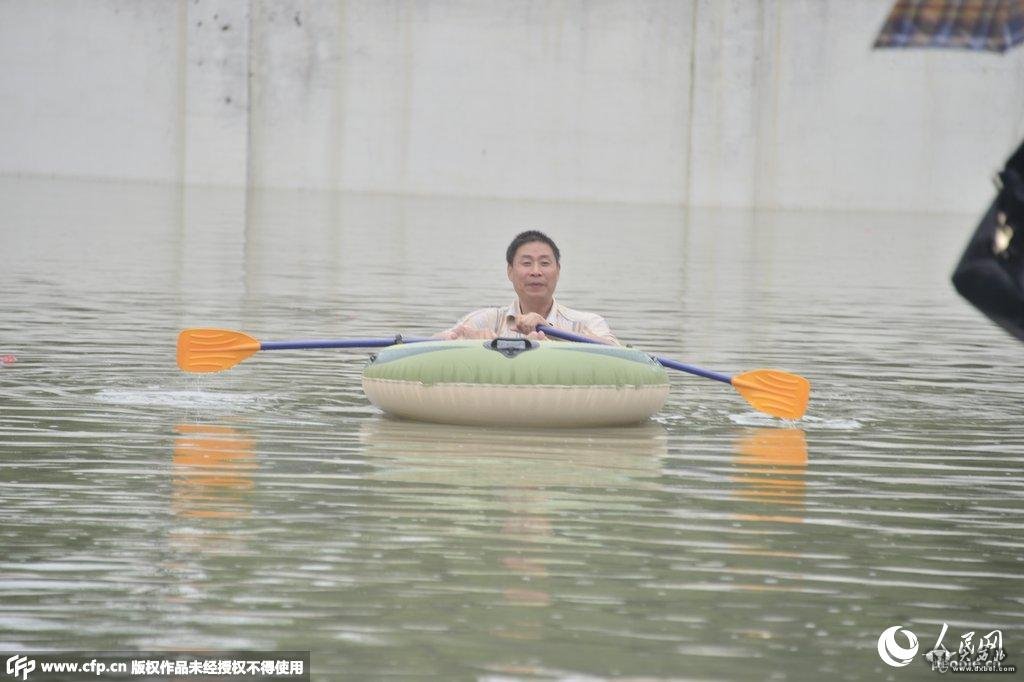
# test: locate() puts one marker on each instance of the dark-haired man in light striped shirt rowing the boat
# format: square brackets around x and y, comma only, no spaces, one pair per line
[534,266]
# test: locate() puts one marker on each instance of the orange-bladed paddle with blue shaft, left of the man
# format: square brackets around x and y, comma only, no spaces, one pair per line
[218,350]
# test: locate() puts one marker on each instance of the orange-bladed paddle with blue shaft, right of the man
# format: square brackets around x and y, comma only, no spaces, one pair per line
[773,392]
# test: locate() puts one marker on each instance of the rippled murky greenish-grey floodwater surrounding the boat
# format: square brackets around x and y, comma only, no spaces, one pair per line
[272,507]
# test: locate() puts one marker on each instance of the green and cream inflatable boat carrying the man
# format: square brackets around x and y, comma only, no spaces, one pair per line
[517,382]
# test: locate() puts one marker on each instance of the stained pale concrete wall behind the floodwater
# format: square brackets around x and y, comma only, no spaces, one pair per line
[777,104]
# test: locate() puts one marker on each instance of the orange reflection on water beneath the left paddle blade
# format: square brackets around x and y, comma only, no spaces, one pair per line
[211,476]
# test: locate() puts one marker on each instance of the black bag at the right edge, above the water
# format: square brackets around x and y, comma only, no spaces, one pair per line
[991,273]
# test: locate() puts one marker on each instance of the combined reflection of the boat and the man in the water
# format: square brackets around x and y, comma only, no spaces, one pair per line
[535,478]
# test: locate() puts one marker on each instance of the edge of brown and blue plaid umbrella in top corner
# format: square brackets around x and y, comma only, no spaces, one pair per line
[975,25]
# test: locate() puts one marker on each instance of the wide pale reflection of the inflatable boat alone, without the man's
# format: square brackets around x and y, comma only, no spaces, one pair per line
[515,458]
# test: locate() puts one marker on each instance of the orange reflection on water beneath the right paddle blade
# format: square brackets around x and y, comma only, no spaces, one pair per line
[773,466]
